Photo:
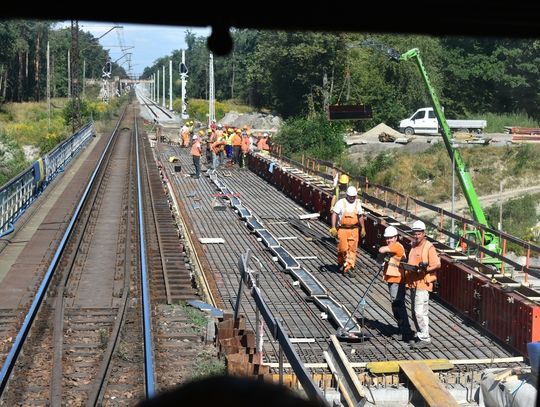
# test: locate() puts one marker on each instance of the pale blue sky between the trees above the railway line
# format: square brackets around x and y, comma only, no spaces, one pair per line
[149,42]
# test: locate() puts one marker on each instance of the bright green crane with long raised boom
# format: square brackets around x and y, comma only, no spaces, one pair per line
[489,240]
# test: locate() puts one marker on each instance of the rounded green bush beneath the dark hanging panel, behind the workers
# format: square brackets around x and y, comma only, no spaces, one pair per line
[315,136]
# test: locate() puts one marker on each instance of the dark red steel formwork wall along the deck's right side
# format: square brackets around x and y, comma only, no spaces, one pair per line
[510,314]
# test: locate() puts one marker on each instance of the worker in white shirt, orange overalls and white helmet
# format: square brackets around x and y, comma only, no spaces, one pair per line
[348,226]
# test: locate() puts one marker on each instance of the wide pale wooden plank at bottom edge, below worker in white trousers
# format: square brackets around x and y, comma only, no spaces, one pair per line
[427,384]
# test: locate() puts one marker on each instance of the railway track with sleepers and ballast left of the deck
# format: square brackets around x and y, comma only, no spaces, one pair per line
[83,342]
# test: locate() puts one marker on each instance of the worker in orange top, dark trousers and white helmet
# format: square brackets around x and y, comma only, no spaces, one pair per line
[394,275]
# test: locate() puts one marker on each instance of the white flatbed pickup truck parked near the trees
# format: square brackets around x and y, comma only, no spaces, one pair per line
[424,121]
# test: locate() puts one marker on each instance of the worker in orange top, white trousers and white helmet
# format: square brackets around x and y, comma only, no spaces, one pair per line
[423,255]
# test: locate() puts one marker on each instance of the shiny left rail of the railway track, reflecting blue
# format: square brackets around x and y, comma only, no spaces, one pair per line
[16,347]
